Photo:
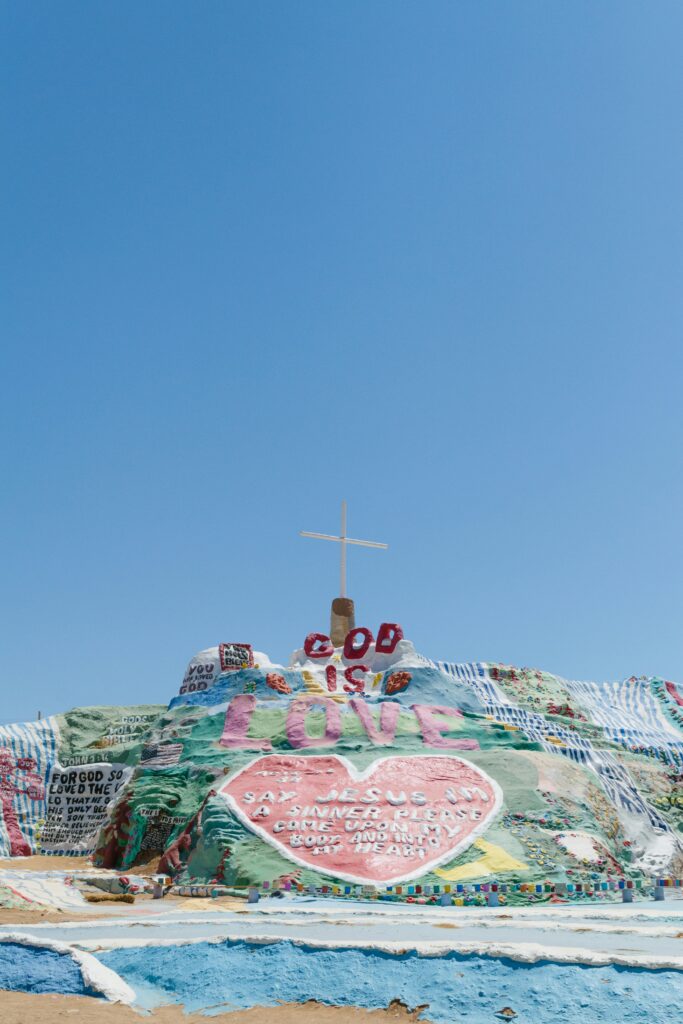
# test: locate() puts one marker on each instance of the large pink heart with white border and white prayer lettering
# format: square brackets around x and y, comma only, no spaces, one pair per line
[396,821]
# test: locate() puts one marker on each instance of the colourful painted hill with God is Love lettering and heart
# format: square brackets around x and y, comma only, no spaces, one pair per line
[368,764]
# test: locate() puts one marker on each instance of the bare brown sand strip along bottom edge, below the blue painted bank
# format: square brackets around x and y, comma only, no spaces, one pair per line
[20,1008]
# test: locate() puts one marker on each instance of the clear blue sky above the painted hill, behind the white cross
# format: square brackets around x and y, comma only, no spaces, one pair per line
[258,258]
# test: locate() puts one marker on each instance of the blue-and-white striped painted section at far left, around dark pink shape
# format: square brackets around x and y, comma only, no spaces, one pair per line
[38,741]
